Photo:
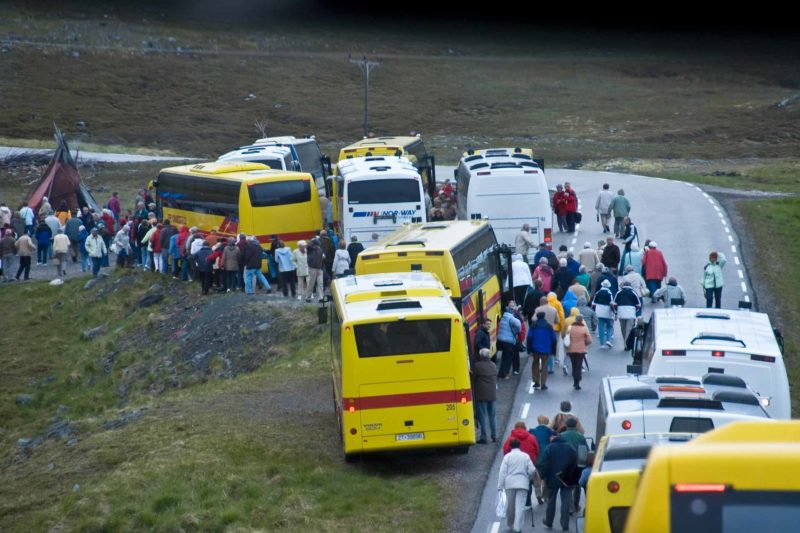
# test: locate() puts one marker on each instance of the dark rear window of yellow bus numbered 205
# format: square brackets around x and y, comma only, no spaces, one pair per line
[403,337]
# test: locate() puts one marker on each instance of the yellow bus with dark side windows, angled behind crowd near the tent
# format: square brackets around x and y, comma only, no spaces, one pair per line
[240,197]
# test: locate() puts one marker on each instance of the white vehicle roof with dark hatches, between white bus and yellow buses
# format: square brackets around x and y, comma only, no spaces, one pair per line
[673,404]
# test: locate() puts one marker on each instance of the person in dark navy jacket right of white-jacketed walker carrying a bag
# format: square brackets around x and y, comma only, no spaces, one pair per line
[555,464]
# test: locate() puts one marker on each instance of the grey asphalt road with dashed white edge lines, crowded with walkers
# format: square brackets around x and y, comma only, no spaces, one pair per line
[687,224]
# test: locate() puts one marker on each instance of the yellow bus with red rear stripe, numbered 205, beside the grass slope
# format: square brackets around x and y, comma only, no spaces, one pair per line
[399,362]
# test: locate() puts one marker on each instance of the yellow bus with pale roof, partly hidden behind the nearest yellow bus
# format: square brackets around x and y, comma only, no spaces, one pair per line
[618,464]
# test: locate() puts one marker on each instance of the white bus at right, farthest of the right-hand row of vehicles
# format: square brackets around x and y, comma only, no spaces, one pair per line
[694,342]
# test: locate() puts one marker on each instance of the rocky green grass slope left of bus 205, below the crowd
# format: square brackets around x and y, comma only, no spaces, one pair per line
[184,415]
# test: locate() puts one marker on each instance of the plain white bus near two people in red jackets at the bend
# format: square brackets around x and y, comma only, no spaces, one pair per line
[507,186]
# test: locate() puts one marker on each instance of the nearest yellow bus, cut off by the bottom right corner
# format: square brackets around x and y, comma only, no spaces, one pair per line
[744,476]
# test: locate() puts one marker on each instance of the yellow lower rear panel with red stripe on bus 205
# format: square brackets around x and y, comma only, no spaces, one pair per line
[409,410]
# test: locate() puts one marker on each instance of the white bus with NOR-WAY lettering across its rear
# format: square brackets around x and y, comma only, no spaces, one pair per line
[377,195]
